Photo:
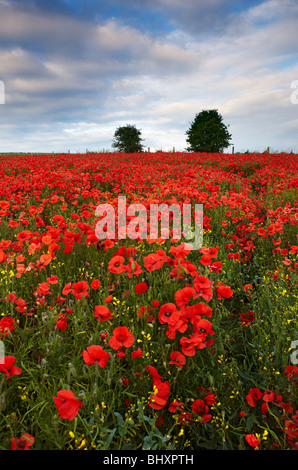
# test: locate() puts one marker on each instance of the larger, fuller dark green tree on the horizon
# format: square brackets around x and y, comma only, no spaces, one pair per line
[208,133]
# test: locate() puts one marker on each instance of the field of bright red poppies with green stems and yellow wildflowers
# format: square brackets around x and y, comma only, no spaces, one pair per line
[141,344]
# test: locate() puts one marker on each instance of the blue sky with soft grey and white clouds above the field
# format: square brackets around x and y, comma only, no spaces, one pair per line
[73,71]
